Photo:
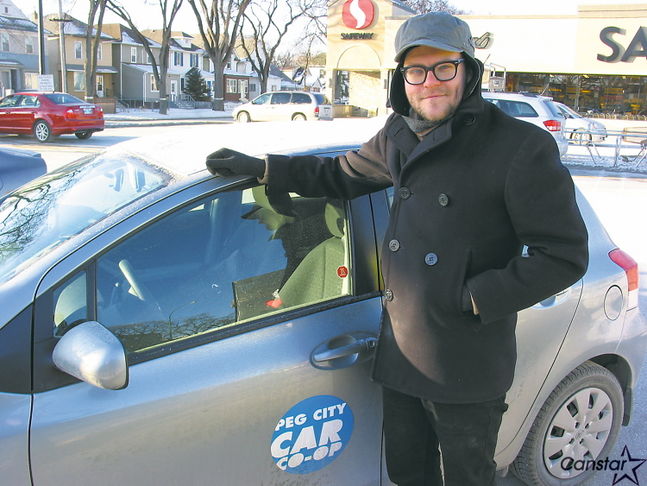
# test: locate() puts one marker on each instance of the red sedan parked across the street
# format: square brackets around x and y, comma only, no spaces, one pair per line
[49,114]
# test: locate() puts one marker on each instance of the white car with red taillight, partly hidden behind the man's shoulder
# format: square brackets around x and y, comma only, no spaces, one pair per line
[535,109]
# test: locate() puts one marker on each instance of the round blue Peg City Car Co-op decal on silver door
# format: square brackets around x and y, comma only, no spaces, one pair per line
[312,434]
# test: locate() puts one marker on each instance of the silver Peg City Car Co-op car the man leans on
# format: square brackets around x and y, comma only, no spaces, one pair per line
[163,326]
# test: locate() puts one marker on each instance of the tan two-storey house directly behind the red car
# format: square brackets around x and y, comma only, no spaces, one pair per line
[75,56]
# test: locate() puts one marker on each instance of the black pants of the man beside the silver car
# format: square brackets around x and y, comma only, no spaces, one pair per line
[415,430]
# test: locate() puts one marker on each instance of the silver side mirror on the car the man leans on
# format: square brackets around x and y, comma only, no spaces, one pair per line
[94,355]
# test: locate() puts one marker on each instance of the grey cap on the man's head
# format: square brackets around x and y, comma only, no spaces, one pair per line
[435,29]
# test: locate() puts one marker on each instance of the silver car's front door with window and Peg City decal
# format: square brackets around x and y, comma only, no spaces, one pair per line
[248,332]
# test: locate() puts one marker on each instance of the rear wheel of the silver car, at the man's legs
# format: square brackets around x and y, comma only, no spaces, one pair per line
[557,440]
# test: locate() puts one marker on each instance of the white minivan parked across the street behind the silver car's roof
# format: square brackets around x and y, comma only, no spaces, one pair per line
[285,105]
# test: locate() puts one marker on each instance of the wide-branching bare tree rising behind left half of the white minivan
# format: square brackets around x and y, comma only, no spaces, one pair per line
[268,21]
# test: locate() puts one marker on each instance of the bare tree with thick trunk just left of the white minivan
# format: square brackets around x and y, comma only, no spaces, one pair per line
[219,23]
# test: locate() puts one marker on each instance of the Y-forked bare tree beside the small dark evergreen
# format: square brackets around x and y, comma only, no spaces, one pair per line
[169,10]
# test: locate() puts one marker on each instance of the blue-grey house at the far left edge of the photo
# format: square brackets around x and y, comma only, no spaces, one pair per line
[19,66]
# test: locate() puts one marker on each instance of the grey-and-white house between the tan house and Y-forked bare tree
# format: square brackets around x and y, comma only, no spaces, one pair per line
[135,82]
